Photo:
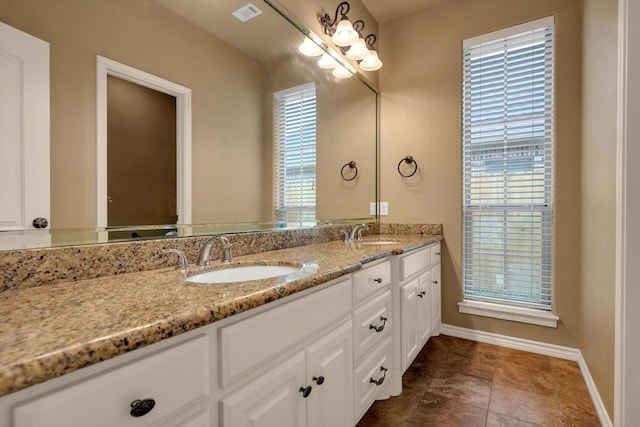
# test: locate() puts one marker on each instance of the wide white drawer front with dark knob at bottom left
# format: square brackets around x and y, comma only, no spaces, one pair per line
[173,378]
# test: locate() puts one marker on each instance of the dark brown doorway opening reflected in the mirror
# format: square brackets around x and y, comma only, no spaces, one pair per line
[141,155]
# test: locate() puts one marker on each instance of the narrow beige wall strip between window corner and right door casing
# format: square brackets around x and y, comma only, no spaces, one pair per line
[599,192]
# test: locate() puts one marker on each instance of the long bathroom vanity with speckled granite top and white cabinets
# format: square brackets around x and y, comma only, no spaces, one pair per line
[313,350]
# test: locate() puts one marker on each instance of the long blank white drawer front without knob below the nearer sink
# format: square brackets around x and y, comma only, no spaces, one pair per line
[250,342]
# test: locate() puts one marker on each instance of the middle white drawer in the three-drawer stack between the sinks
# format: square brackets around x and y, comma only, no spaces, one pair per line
[372,323]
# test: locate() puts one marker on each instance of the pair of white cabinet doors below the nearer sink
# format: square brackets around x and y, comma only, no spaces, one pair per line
[311,388]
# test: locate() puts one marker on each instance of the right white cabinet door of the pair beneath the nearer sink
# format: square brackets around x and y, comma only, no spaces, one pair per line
[330,373]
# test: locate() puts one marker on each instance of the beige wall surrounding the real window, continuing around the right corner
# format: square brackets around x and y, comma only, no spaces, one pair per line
[420,87]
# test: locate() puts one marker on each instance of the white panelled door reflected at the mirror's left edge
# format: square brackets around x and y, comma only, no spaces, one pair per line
[24,130]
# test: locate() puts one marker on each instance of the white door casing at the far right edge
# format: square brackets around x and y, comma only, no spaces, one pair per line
[627,317]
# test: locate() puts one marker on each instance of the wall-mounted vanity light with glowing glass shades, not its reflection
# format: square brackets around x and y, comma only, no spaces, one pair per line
[355,47]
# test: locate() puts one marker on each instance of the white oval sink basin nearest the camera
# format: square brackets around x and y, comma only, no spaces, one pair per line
[243,273]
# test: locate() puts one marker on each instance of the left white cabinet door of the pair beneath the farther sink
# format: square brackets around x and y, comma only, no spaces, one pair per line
[409,307]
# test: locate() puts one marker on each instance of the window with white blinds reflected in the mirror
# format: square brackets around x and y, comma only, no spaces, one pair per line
[295,154]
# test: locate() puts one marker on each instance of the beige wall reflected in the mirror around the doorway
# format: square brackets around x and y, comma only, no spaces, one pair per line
[226,89]
